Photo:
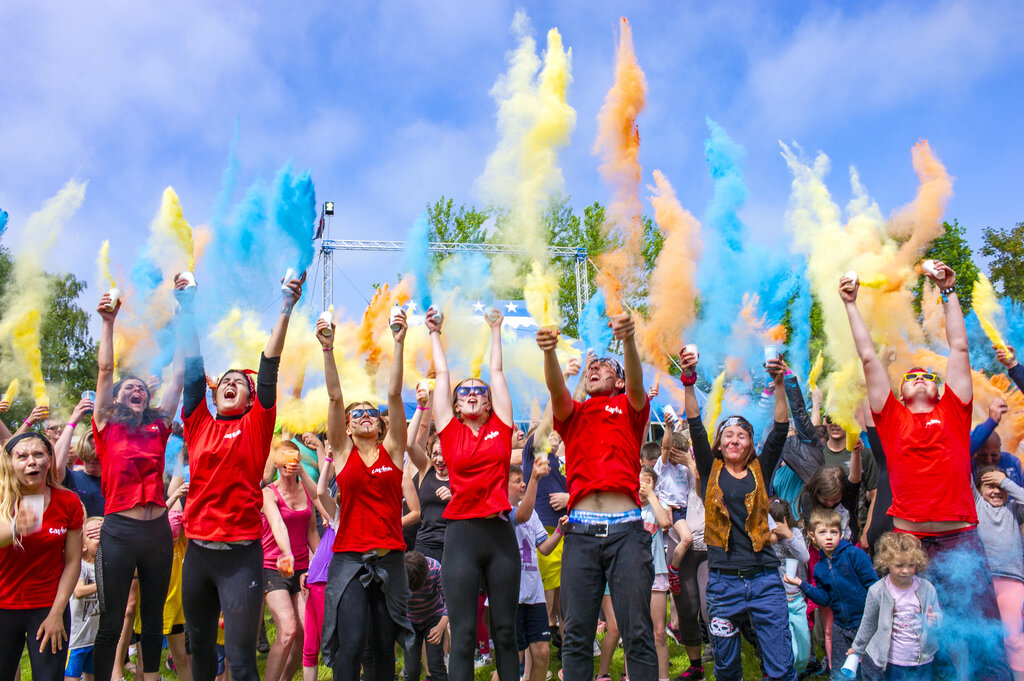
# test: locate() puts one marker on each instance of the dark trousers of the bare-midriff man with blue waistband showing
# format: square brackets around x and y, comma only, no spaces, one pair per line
[623,562]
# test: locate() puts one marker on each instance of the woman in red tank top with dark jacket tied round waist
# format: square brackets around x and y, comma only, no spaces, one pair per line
[368,587]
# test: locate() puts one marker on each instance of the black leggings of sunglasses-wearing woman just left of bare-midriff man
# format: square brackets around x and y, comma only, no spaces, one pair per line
[482,552]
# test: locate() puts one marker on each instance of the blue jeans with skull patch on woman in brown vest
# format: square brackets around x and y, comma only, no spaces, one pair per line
[732,599]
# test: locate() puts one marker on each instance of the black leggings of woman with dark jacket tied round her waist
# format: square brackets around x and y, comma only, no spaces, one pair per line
[366,634]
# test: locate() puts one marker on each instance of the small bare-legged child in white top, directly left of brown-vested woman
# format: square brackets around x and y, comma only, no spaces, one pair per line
[673,490]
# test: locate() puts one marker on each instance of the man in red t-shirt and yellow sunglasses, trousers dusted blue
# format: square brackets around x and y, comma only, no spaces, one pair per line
[926,439]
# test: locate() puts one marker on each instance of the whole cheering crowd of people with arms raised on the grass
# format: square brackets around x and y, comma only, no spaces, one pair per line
[457,538]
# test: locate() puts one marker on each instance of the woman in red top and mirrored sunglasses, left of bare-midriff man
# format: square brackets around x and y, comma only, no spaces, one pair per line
[481,548]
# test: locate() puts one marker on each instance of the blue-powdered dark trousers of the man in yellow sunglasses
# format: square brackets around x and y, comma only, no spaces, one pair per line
[971,631]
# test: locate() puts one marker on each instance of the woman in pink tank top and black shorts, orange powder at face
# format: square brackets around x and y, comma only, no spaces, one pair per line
[289,533]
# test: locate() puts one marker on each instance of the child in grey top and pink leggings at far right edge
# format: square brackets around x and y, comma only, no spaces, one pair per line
[1000,520]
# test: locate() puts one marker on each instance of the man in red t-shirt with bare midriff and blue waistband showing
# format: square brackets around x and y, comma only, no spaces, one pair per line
[606,542]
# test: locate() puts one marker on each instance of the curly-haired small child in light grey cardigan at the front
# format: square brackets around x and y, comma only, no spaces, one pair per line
[901,612]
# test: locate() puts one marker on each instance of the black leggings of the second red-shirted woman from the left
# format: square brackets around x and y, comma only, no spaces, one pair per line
[127,545]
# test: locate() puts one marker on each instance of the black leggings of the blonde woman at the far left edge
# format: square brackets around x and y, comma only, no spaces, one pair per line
[20,627]
